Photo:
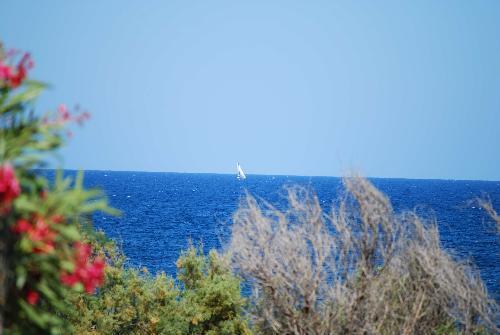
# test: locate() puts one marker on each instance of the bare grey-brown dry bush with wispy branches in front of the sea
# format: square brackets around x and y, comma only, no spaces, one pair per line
[362,269]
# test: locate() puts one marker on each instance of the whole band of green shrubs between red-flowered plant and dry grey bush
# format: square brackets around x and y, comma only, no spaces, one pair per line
[206,300]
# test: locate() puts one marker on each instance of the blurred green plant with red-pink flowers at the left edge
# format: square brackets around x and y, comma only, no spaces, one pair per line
[42,256]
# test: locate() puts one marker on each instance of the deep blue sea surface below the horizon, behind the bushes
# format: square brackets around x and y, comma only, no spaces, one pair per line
[162,212]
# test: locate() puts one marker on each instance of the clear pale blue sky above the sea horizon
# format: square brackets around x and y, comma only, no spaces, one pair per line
[386,88]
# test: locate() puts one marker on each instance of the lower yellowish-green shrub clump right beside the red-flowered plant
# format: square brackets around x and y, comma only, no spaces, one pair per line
[128,302]
